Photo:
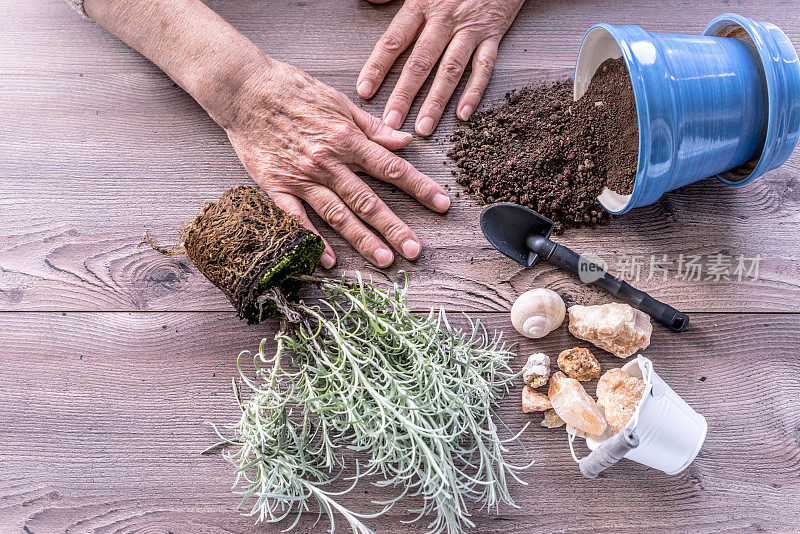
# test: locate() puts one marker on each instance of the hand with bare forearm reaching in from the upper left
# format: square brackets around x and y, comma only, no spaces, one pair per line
[298,138]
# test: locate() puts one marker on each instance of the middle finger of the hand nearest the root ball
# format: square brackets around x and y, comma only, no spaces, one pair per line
[372,210]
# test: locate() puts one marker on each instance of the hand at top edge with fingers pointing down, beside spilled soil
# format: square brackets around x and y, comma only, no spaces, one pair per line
[448,29]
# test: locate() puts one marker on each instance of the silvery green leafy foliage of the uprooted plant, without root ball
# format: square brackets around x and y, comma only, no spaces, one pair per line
[415,395]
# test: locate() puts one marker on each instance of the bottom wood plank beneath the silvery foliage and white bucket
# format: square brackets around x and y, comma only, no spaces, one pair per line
[102,414]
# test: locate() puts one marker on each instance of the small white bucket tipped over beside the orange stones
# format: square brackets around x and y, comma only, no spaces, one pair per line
[669,432]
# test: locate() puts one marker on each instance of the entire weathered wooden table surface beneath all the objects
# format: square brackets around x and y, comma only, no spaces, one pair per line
[112,360]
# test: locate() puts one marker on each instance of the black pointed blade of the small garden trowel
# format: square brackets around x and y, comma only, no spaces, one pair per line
[507,226]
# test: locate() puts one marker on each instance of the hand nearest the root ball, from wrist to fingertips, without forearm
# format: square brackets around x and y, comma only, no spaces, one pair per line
[301,140]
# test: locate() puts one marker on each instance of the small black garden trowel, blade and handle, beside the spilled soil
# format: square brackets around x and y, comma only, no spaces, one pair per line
[523,235]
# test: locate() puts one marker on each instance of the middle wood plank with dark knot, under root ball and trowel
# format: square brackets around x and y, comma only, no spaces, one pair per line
[87,180]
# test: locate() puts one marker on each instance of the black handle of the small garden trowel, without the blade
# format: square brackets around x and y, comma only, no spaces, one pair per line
[591,273]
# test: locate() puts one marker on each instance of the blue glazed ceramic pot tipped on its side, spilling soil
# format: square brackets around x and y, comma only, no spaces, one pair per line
[725,103]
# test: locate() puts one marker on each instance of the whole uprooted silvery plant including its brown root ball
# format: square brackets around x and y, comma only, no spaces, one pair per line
[356,374]
